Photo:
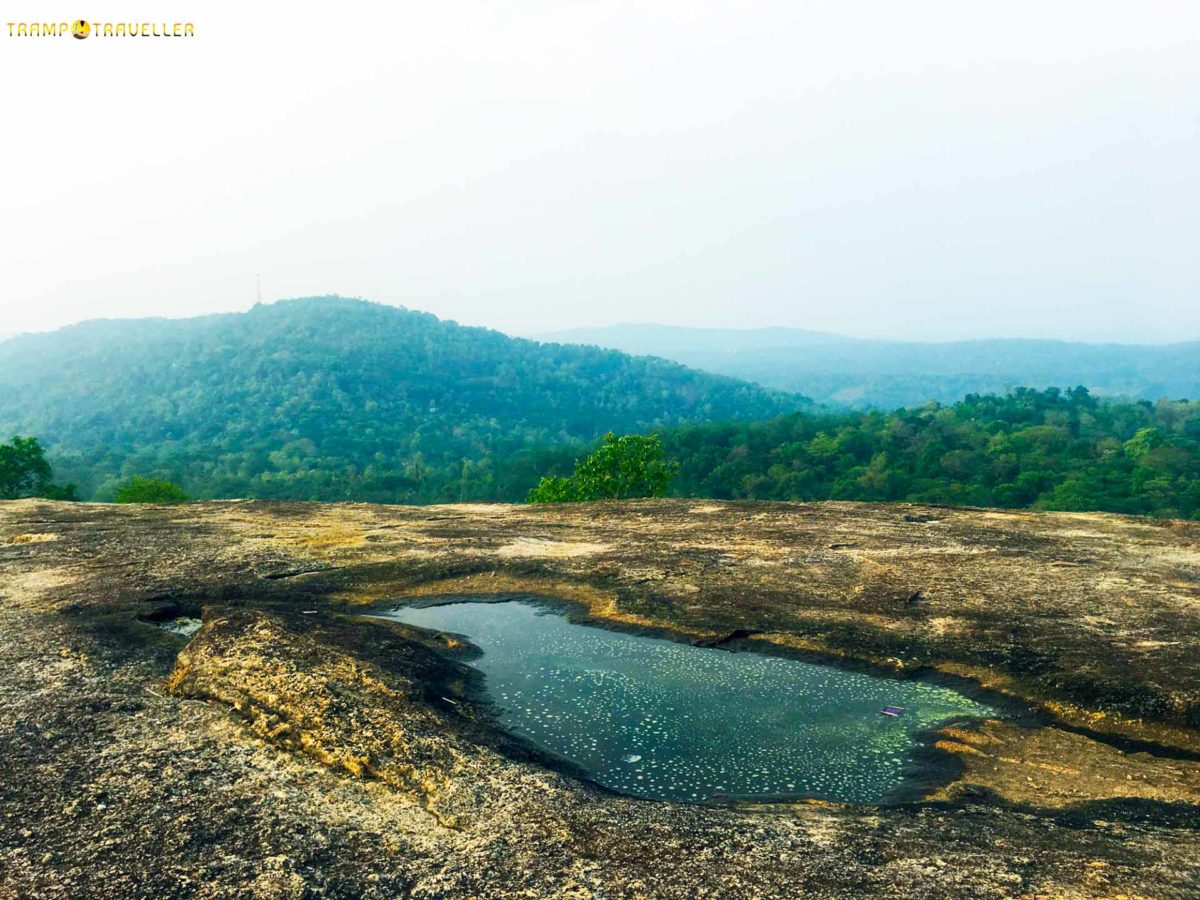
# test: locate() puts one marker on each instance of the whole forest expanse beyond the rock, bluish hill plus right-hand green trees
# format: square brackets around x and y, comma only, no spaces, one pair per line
[329,399]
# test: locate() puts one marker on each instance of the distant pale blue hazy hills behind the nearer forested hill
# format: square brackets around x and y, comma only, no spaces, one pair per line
[865,374]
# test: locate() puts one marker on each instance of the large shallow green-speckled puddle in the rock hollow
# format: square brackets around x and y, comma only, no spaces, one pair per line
[667,721]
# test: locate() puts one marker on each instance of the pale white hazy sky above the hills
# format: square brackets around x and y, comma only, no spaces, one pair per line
[908,170]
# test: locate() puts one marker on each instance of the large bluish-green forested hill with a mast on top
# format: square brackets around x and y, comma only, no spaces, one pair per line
[333,399]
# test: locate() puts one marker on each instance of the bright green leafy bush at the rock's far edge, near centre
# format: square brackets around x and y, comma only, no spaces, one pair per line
[621,469]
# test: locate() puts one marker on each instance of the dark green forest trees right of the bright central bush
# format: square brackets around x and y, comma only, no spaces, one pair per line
[1063,451]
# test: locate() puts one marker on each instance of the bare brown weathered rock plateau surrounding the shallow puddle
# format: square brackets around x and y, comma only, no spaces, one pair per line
[292,748]
